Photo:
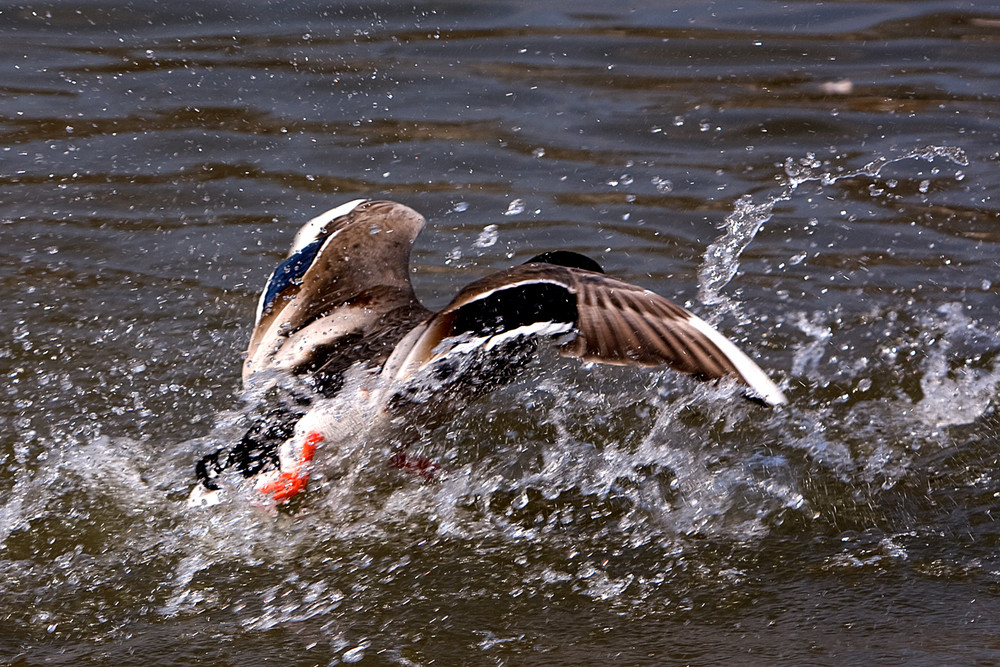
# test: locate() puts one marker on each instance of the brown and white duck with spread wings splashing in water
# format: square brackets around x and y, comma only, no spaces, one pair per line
[339,314]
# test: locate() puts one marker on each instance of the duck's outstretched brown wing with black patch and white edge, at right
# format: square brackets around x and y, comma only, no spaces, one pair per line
[609,321]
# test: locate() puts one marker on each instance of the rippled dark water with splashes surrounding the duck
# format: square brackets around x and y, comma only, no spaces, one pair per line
[767,165]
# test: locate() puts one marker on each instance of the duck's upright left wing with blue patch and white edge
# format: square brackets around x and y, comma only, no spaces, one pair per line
[345,281]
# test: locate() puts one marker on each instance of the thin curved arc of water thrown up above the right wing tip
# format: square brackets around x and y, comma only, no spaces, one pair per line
[721,259]
